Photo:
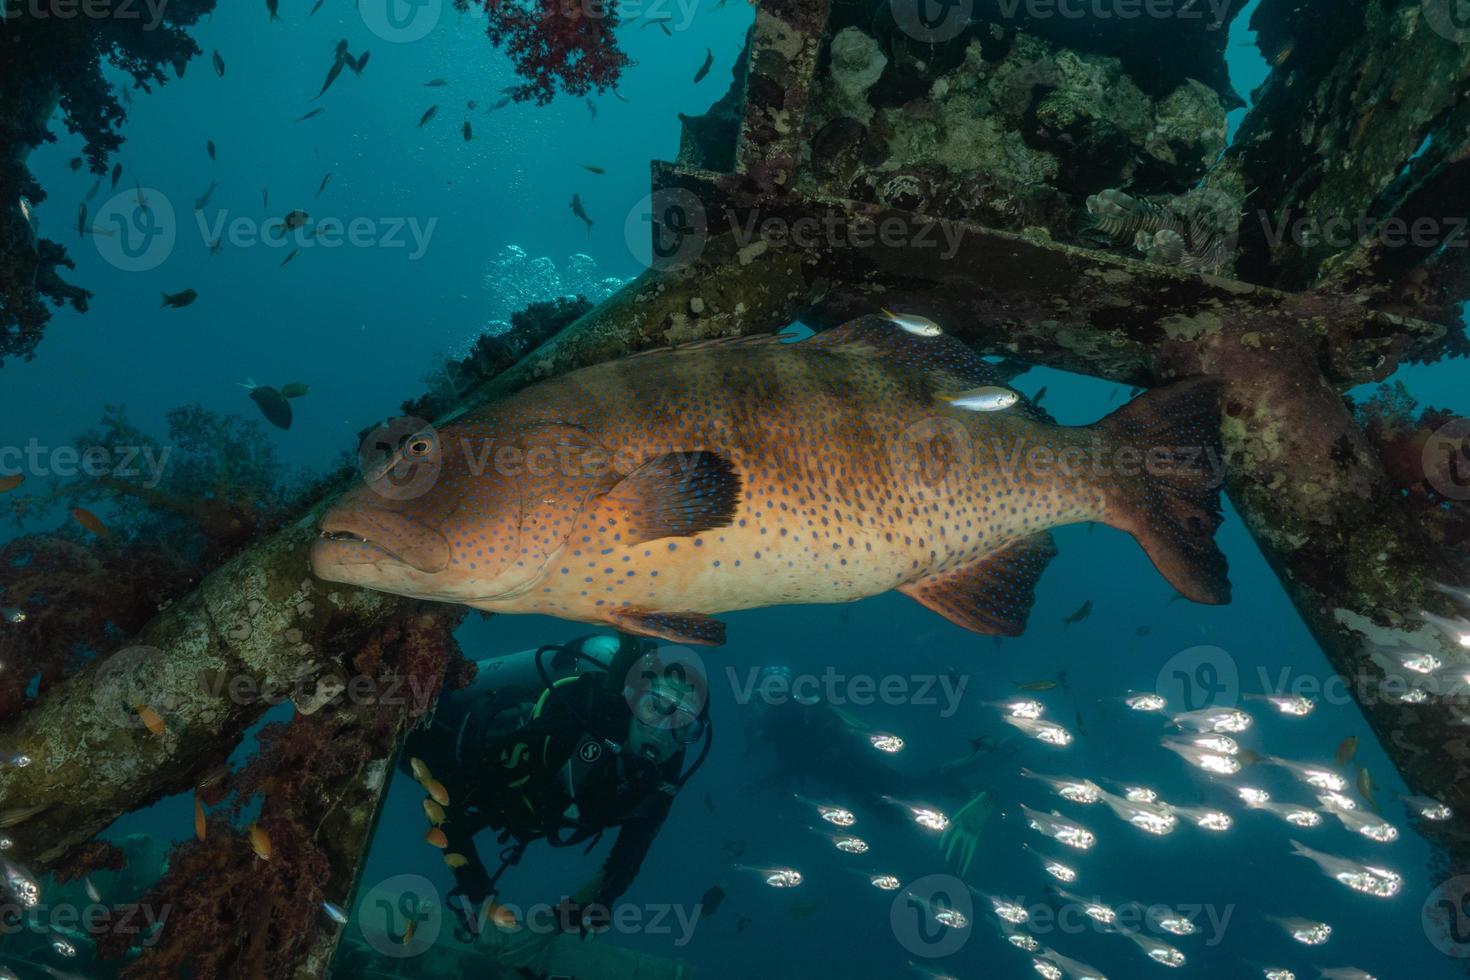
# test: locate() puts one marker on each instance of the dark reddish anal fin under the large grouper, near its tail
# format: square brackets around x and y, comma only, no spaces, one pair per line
[993,596]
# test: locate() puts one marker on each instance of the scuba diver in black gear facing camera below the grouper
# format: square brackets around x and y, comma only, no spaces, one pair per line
[561,744]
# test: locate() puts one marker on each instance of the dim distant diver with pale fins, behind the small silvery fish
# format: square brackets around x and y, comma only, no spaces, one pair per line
[818,743]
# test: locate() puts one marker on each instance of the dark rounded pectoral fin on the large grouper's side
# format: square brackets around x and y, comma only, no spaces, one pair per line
[673,496]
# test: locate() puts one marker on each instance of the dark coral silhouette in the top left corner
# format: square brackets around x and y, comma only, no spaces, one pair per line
[49,62]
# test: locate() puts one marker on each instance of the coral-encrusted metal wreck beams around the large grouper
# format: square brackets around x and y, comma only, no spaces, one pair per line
[1056,193]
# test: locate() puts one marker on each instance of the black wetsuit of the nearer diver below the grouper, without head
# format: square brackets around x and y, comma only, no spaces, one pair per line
[548,765]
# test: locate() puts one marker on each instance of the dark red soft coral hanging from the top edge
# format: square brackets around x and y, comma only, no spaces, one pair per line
[555,43]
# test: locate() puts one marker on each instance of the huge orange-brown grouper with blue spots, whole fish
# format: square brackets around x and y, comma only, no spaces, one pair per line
[653,493]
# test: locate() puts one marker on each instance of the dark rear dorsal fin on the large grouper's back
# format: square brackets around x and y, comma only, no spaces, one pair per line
[956,368]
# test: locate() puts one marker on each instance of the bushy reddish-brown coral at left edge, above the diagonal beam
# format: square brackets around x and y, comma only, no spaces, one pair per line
[173,509]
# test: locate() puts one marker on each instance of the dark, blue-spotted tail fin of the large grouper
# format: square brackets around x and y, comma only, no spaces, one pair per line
[1171,502]
